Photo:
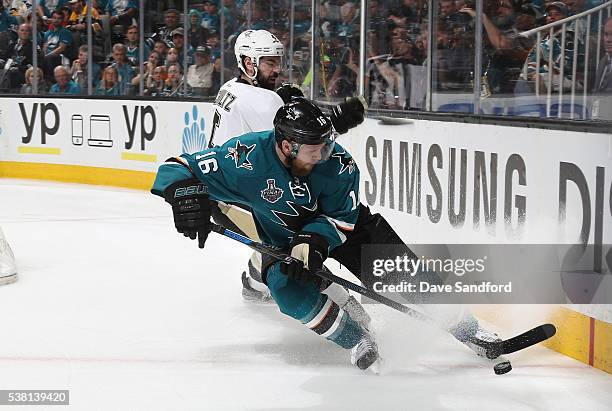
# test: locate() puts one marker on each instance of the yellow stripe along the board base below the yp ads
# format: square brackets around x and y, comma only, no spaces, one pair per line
[142,180]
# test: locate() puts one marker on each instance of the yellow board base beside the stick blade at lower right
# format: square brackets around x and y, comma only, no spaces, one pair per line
[581,337]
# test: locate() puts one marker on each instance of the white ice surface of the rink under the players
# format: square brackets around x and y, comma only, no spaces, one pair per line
[114,305]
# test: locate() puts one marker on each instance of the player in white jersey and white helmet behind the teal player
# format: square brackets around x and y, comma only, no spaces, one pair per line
[248,103]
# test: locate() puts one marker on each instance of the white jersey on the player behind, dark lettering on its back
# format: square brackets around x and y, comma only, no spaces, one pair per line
[241,108]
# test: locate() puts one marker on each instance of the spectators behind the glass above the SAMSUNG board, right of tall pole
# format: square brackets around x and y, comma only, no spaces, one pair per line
[397,52]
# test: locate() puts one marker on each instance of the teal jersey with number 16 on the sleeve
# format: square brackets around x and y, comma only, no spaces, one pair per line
[247,170]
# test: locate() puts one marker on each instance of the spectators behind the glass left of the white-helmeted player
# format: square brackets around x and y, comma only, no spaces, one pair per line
[63,52]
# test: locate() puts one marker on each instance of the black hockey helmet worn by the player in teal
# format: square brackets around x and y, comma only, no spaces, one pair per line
[301,122]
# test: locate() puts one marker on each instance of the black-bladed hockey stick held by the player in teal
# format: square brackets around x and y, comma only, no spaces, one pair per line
[493,349]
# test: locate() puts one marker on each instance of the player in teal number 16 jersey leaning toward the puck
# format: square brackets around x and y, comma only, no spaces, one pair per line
[303,192]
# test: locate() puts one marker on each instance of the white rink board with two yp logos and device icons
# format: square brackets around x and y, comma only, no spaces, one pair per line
[122,134]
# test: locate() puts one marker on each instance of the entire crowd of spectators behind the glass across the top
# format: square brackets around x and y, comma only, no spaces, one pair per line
[397,52]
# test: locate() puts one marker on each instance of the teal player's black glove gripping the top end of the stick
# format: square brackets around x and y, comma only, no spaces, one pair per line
[191,208]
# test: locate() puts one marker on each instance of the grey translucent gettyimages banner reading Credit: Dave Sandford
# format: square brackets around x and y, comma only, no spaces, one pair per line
[485,273]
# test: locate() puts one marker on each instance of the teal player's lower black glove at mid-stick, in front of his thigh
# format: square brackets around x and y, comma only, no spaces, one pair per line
[309,251]
